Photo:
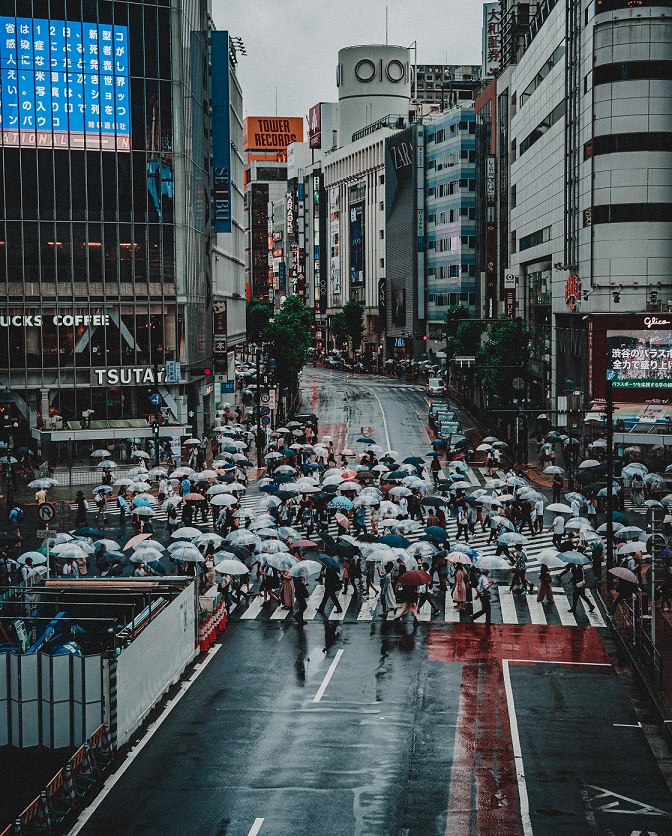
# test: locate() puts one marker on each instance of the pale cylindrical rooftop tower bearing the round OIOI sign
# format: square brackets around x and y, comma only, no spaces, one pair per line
[373,82]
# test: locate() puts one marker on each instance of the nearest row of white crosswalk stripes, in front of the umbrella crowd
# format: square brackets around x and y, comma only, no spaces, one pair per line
[507,608]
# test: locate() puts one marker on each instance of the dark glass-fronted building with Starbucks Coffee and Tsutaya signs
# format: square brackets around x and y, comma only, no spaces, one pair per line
[104,208]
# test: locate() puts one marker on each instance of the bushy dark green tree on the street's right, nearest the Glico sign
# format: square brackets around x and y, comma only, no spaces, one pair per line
[503,356]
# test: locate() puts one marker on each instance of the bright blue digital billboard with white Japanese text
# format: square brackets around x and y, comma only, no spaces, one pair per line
[64,84]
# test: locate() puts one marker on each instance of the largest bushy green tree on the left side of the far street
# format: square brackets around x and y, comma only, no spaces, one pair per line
[288,336]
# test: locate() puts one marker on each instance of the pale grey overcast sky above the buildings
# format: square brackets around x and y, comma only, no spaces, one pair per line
[294,43]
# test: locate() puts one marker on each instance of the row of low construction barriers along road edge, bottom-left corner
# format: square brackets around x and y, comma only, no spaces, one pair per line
[63,793]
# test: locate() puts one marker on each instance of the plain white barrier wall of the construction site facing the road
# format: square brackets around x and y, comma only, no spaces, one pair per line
[154,661]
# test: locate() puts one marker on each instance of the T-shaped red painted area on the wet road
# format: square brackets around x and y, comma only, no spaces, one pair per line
[483,793]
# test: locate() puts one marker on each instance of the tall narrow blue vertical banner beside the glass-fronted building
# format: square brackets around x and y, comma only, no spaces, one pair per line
[221,133]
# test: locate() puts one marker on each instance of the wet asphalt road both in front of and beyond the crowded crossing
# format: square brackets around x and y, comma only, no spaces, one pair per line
[379,729]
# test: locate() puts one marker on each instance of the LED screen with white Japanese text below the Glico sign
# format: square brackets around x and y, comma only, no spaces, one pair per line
[639,359]
